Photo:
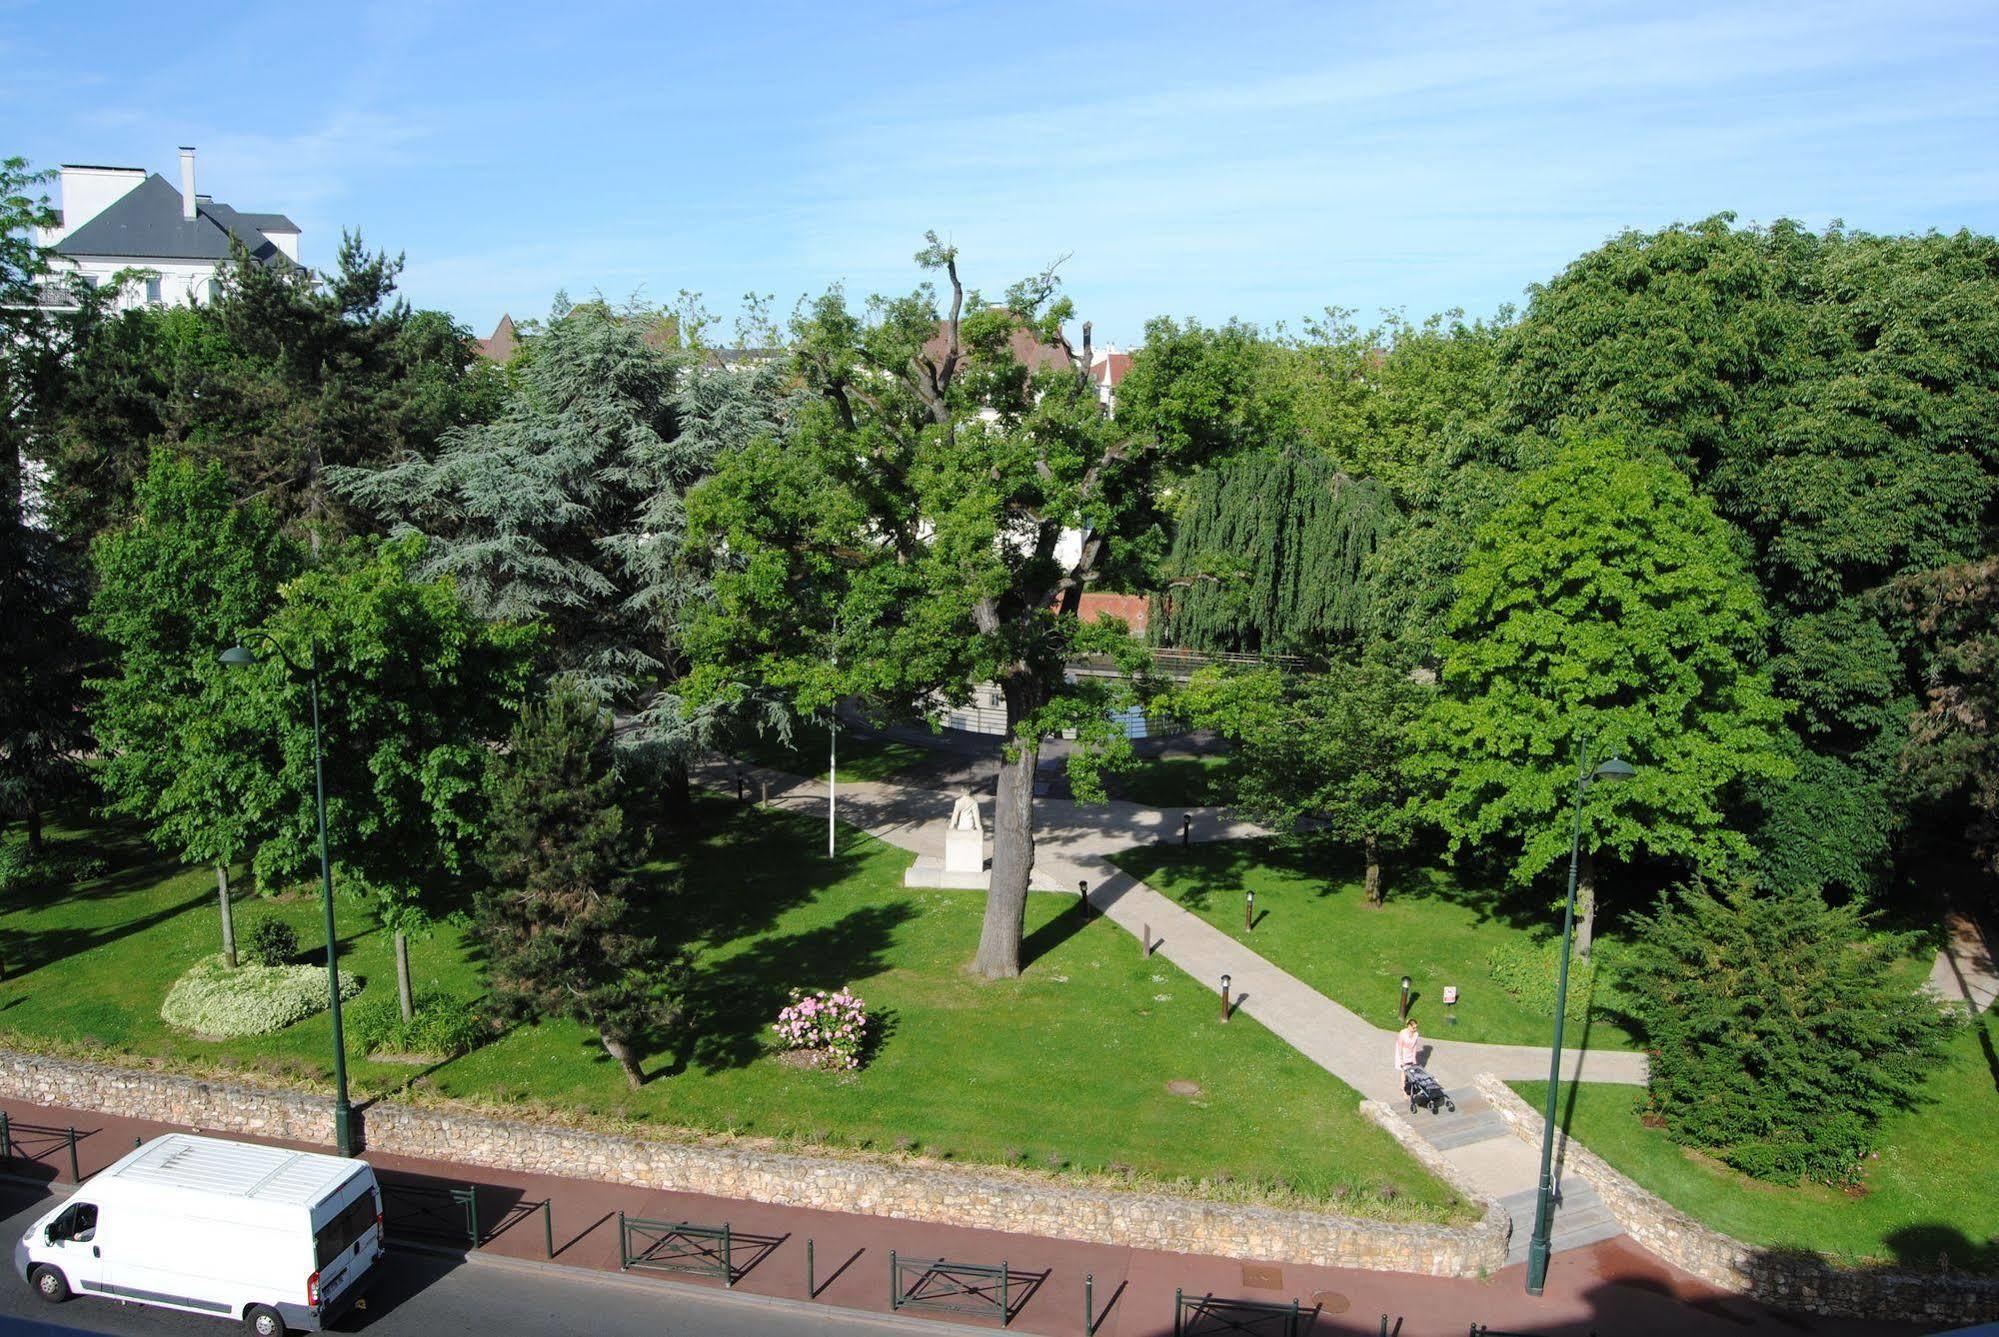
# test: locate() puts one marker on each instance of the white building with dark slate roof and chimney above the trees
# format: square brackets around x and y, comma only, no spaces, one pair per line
[125,219]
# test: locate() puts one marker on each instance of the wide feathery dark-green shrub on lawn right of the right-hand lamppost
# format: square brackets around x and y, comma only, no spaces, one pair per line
[1780,1032]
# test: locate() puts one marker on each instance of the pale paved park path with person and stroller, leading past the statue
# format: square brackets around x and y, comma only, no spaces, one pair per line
[1072,854]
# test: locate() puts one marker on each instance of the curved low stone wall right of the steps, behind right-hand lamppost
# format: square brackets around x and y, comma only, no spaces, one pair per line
[1786,1278]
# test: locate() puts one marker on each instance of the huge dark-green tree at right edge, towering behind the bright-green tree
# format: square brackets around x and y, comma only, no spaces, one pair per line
[1836,397]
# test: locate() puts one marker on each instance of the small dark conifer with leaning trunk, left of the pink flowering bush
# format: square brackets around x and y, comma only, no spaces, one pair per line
[559,926]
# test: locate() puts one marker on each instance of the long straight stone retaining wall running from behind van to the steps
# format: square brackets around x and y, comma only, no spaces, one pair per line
[907,1190]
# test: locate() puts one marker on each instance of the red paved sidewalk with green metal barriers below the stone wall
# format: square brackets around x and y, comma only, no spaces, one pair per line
[1612,1288]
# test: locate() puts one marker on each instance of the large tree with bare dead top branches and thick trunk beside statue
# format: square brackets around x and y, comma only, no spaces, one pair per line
[933,525]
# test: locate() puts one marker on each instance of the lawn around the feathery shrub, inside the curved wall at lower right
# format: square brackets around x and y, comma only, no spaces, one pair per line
[1932,1188]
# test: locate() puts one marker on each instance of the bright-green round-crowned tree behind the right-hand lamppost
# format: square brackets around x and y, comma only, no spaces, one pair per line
[1604,603]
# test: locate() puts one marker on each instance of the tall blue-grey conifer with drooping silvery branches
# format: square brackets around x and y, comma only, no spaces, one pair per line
[569,511]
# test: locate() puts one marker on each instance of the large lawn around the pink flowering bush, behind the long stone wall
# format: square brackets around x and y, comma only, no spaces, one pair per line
[1066,1068]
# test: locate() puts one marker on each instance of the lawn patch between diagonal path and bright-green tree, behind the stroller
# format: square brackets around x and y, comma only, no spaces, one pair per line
[1314,922]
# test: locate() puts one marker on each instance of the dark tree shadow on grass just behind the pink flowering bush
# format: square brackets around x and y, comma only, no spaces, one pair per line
[735,1002]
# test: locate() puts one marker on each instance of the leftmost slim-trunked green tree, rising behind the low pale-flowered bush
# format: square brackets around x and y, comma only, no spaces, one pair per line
[177,585]
